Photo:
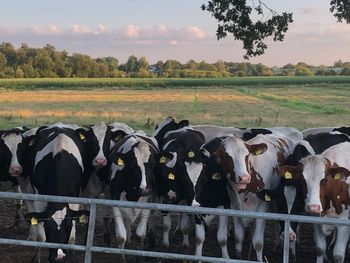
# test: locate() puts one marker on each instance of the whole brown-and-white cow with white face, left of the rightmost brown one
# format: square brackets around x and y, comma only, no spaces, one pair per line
[251,166]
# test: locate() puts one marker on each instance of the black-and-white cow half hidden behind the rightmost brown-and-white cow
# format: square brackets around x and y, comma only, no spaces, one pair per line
[289,194]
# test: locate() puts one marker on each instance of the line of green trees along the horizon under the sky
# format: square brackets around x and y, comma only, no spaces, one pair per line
[47,62]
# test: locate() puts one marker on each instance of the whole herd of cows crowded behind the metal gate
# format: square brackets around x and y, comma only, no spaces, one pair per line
[251,169]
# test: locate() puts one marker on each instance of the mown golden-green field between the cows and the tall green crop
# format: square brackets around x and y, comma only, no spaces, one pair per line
[300,106]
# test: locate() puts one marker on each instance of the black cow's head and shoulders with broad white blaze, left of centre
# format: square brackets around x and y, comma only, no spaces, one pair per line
[131,171]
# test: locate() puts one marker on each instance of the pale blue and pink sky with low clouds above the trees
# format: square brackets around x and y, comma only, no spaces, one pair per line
[168,29]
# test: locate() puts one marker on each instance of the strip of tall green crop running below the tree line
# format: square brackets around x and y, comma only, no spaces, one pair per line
[144,83]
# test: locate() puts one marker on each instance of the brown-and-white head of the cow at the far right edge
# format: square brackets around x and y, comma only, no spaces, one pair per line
[322,182]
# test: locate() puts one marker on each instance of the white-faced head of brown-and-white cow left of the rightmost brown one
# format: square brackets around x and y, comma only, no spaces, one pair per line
[233,155]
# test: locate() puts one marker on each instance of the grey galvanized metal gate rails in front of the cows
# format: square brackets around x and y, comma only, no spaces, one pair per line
[89,247]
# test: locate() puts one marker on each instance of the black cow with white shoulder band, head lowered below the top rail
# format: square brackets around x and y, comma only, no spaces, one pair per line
[58,169]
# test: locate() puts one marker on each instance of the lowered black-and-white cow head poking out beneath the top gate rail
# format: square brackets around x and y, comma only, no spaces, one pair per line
[59,223]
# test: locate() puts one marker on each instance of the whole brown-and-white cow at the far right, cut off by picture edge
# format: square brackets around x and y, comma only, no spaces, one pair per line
[324,178]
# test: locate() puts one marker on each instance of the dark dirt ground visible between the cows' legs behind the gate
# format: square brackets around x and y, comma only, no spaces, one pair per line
[272,252]
